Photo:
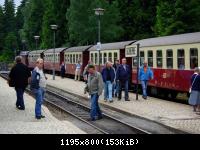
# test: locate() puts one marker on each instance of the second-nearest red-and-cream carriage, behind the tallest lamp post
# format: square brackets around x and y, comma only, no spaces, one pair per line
[109,52]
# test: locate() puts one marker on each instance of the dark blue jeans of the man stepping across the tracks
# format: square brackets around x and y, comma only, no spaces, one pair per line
[95,110]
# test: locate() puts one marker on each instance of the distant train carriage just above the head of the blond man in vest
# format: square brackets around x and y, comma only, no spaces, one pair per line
[33,56]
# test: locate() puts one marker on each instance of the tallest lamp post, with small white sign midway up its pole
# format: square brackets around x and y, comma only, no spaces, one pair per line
[99,12]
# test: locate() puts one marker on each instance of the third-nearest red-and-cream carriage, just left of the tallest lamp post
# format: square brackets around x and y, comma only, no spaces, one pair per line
[72,55]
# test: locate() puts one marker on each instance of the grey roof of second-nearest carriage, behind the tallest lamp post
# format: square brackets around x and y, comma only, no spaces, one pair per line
[113,46]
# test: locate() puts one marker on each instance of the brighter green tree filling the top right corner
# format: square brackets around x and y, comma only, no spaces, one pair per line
[177,16]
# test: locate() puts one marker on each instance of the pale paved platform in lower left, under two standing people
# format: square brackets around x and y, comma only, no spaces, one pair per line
[14,121]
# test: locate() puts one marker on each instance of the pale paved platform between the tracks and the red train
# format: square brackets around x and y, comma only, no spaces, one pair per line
[176,115]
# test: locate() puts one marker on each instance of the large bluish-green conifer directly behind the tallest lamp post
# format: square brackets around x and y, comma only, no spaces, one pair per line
[82,22]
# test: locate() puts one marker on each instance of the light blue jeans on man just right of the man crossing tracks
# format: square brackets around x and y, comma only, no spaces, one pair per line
[108,90]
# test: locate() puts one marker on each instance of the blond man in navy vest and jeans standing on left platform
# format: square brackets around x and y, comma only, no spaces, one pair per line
[38,85]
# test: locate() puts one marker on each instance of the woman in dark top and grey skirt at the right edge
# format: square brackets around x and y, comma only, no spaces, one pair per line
[194,98]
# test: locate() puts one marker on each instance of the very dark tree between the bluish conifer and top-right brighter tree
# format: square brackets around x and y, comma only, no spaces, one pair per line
[138,18]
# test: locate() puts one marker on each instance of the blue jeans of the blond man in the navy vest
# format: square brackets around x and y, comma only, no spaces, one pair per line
[39,96]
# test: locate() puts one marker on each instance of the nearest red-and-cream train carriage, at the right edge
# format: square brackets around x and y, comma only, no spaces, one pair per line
[172,59]
